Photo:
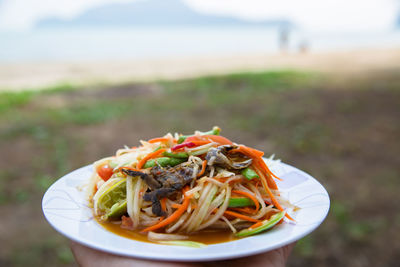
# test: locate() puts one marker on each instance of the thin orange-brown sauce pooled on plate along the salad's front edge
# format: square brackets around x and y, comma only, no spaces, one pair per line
[207,236]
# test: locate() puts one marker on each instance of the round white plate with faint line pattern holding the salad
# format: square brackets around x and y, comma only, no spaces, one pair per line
[65,208]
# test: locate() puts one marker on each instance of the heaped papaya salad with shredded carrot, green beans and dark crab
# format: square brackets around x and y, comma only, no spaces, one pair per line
[174,186]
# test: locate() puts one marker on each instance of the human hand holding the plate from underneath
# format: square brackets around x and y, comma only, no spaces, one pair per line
[87,257]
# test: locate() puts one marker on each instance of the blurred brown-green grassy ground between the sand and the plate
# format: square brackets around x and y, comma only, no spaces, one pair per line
[342,131]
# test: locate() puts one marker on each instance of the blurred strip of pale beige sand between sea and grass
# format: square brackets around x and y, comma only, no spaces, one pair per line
[32,76]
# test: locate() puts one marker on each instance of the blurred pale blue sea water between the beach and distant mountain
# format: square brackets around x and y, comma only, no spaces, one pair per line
[85,44]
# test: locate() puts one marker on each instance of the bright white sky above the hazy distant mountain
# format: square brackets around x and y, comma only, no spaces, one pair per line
[309,15]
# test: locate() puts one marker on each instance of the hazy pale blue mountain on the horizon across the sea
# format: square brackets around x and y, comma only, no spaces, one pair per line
[149,13]
